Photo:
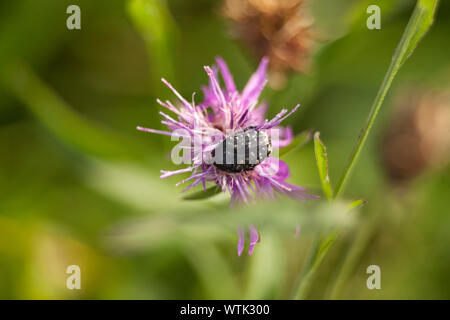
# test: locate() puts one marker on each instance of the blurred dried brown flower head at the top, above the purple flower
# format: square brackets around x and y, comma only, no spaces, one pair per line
[279,29]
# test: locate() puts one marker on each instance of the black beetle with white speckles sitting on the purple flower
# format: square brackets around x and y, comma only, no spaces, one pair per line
[242,151]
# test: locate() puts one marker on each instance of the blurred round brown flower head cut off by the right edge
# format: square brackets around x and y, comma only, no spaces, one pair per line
[418,137]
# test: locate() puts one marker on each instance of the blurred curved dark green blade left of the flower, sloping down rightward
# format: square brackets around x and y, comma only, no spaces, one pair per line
[52,111]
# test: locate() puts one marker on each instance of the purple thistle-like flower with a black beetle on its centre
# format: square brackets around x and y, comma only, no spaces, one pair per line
[224,122]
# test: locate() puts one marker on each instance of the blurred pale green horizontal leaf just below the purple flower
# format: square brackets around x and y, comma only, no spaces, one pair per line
[200,222]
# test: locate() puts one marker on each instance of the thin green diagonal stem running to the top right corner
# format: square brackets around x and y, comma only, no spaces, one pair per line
[419,23]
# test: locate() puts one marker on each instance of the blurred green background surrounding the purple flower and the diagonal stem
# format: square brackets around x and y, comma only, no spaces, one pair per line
[79,184]
